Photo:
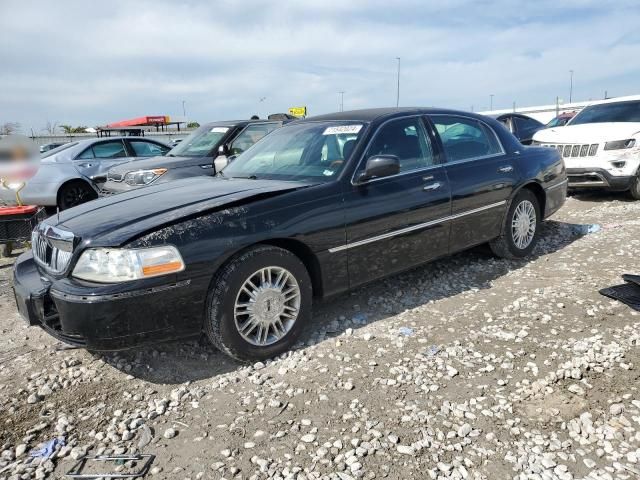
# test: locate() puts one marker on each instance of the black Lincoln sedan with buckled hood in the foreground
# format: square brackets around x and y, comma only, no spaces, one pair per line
[316,208]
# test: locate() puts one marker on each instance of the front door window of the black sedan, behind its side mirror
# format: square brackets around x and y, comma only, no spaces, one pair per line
[406,139]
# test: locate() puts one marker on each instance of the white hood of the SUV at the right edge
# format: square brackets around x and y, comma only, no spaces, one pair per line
[588,133]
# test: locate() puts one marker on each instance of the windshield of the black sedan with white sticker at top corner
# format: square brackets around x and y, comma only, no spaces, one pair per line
[305,151]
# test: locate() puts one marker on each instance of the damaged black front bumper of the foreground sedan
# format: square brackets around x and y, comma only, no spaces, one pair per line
[123,318]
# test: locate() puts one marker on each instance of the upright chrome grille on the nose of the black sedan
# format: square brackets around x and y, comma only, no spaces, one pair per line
[52,248]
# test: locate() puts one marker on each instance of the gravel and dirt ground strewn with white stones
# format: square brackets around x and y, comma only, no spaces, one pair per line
[471,367]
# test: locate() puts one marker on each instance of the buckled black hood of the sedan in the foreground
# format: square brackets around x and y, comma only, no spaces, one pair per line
[115,220]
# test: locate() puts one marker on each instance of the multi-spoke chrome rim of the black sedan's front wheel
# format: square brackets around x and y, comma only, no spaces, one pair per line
[267,306]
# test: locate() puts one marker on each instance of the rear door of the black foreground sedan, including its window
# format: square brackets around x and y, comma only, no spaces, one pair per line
[482,177]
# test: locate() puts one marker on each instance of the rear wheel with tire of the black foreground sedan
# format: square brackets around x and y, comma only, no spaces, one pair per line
[509,244]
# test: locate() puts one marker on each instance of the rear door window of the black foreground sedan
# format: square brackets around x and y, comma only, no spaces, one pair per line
[465,138]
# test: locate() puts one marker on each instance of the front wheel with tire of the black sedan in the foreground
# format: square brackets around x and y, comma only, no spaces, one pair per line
[224,322]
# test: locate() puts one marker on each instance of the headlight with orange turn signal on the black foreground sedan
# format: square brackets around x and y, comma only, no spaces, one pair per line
[114,265]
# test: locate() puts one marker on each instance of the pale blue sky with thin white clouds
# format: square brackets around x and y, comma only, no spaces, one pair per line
[91,63]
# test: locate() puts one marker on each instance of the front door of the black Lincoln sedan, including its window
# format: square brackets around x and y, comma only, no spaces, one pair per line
[393,222]
